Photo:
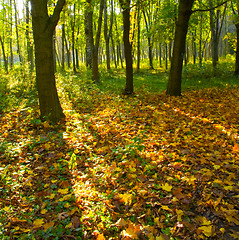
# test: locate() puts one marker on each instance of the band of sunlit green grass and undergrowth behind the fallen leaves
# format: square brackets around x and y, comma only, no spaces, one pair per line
[17,89]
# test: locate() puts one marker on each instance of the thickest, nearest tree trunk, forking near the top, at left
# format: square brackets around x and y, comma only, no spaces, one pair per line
[43,30]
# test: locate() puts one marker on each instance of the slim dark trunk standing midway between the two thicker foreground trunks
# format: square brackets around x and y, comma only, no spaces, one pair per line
[129,88]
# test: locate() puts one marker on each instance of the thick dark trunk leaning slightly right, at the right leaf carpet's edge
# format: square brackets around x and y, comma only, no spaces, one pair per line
[175,77]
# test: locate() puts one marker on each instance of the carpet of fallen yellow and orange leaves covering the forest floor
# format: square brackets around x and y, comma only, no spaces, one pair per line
[147,166]
